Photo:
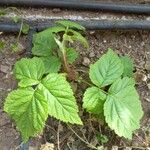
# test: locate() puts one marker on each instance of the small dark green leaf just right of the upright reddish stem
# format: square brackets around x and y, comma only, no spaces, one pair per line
[71,54]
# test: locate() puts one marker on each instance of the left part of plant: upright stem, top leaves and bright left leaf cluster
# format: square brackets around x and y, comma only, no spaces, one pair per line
[41,91]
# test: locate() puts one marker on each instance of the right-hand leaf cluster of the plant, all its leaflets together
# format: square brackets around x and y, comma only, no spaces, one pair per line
[113,94]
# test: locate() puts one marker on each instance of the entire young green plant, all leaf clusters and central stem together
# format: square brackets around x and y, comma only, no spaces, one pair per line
[43,92]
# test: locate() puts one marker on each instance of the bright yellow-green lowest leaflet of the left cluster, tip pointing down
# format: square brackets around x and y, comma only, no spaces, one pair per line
[29,109]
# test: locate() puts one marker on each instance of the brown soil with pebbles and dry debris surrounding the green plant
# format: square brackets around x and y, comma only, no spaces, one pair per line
[134,43]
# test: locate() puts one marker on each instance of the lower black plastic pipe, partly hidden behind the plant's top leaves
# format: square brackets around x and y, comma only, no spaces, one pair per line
[89,25]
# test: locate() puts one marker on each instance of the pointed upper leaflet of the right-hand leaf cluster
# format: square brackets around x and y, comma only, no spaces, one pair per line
[106,70]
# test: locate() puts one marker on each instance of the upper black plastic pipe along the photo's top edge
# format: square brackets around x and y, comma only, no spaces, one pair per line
[81,5]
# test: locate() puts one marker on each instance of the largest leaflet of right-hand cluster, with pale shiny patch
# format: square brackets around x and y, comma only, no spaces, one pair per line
[122,108]
